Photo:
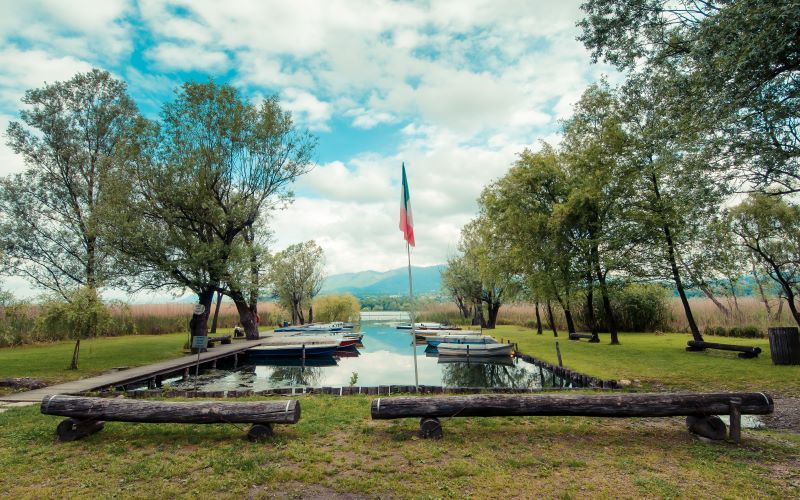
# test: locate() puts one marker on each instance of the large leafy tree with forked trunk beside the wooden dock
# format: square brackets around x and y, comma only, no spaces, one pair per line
[194,183]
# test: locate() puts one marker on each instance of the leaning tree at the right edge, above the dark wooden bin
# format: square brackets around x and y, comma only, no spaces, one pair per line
[769,227]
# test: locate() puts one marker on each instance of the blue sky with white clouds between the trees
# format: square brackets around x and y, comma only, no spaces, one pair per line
[453,89]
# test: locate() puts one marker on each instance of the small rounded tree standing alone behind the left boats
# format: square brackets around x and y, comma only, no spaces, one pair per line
[294,275]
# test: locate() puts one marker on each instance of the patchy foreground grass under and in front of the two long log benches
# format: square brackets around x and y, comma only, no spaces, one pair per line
[337,449]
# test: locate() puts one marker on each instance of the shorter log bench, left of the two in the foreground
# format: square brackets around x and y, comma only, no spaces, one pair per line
[88,415]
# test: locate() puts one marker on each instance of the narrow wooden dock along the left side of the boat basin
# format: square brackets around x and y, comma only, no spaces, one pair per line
[139,374]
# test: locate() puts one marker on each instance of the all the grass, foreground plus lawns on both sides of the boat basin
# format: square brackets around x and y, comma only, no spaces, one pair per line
[336,450]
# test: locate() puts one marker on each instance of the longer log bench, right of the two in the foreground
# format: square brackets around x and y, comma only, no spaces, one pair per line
[700,409]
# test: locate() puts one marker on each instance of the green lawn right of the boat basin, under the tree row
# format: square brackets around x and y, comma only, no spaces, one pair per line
[660,361]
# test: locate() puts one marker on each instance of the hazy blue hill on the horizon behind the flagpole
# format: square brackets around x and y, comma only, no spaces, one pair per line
[393,282]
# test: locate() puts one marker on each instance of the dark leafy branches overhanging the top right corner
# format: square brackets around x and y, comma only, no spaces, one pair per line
[736,63]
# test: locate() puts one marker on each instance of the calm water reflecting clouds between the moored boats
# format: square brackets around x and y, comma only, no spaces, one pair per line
[386,358]
